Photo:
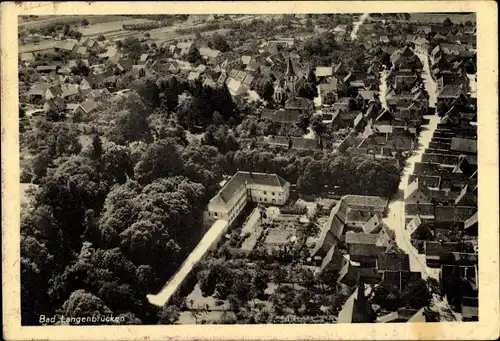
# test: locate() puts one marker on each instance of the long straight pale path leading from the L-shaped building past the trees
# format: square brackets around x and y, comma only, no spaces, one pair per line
[208,240]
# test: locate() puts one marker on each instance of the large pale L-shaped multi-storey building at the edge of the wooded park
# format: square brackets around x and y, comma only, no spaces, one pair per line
[244,187]
